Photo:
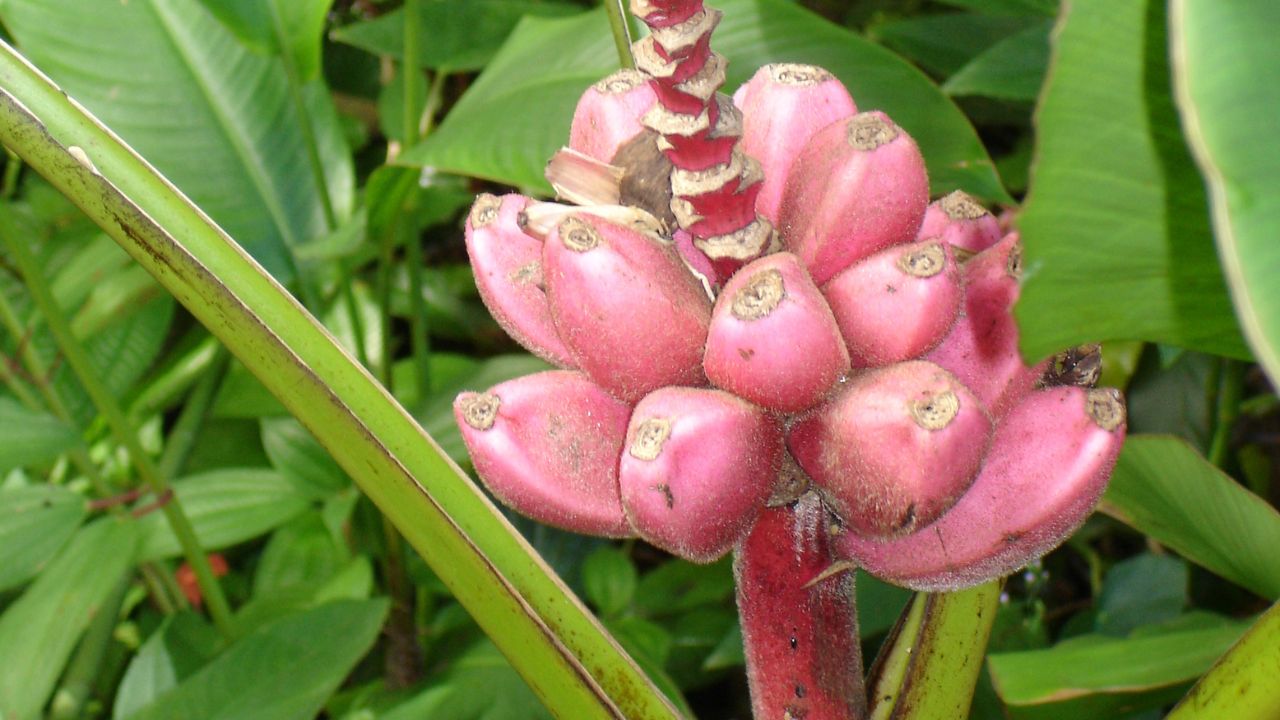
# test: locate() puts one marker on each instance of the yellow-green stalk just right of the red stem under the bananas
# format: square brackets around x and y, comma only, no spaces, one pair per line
[931,662]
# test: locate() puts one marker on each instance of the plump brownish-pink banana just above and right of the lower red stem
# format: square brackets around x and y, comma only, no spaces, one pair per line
[895,449]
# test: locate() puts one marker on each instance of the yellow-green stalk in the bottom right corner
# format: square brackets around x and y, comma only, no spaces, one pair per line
[1242,685]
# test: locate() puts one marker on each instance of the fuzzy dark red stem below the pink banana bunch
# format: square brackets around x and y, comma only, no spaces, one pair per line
[799,619]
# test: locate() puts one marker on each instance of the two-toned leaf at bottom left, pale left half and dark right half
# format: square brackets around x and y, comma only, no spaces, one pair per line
[179,649]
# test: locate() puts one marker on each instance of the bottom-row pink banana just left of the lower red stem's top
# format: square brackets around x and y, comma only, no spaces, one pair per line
[697,470]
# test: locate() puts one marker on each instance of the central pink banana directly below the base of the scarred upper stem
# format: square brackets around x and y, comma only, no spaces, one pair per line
[772,338]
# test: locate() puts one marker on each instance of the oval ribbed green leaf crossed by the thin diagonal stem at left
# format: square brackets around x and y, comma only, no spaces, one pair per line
[226,508]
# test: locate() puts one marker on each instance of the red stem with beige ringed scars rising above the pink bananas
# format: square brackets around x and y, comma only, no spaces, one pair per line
[714,185]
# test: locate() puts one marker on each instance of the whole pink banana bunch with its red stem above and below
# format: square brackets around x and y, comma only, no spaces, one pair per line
[771,341]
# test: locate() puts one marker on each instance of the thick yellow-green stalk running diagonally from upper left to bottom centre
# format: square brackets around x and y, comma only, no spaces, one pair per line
[565,655]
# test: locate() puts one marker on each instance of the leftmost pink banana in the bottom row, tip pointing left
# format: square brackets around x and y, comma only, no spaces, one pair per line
[548,446]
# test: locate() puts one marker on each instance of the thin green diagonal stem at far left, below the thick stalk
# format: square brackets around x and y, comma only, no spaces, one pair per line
[121,426]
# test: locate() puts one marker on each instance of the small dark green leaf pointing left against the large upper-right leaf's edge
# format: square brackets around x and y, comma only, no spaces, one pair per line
[1011,70]
